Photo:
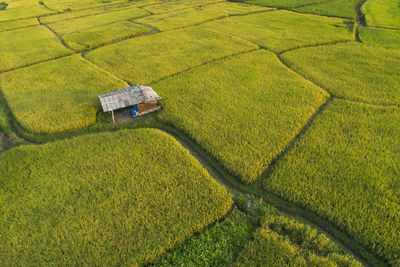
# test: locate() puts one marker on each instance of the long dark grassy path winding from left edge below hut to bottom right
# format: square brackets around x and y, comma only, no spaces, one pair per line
[232,182]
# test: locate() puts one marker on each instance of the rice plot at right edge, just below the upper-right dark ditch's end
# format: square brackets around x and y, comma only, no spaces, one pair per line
[351,71]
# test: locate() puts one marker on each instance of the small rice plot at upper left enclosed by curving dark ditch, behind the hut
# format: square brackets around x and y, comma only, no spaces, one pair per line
[95,37]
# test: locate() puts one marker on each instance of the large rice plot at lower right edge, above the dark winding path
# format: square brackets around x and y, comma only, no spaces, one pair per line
[346,169]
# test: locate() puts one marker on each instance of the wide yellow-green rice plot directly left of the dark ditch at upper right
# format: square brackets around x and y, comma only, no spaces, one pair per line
[282,30]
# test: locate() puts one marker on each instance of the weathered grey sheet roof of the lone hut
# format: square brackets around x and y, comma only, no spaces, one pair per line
[127,97]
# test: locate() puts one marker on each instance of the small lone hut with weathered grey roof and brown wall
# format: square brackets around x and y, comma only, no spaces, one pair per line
[144,98]
